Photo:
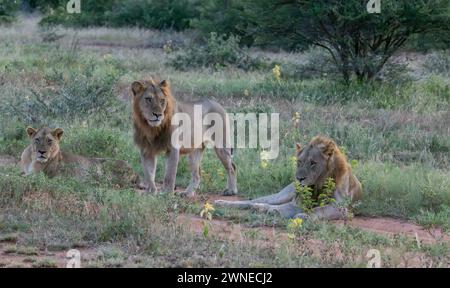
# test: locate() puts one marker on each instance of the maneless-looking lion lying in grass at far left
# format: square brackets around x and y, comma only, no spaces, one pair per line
[44,154]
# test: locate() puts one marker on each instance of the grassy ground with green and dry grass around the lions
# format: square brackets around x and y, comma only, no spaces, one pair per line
[397,131]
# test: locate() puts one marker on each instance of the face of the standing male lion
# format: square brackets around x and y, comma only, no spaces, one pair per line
[151,100]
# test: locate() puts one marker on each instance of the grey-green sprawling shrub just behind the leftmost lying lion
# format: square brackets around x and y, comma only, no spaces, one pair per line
[86,90]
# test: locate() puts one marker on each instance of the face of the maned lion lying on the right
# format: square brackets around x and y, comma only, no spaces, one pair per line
[312,163]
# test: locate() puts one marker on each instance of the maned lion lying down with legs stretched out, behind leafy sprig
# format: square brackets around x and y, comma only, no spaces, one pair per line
[319,160]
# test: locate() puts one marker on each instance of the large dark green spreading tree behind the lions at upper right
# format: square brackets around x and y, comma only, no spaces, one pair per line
[360,43]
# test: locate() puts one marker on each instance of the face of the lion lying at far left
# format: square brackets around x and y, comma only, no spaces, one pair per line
[44,143]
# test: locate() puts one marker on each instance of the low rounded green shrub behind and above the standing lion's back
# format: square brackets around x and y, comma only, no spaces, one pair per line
[218,52]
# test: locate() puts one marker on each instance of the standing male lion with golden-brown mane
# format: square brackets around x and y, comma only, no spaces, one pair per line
[153,110]
